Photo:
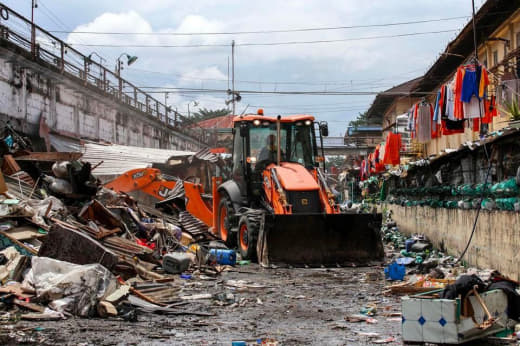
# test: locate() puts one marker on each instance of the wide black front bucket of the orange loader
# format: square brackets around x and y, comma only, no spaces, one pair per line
[315,240]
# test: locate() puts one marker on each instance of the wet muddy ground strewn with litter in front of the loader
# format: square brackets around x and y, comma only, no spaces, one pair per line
[296,307]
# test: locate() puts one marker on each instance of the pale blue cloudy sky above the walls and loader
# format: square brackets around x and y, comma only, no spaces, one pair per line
[371,58]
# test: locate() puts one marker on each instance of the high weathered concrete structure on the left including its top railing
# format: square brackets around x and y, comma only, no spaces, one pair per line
[48,87]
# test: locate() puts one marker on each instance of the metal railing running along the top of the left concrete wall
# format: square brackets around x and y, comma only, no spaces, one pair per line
[48,49]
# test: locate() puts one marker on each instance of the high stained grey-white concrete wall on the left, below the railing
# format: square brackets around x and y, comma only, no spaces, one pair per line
[28,92]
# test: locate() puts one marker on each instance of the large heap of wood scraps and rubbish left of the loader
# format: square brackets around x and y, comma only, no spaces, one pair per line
[70,247]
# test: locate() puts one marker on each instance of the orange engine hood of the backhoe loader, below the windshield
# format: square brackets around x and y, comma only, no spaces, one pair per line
[295,177]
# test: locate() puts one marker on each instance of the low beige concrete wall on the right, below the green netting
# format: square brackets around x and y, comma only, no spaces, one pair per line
[495,244]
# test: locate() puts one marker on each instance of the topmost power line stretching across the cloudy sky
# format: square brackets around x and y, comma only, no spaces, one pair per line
[259,31]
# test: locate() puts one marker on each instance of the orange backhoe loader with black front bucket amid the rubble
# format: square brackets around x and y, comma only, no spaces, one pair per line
[277,206]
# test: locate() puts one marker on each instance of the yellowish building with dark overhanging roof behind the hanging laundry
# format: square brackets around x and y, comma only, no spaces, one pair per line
[498,40]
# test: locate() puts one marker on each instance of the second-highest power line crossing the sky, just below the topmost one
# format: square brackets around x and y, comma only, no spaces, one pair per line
[250,44]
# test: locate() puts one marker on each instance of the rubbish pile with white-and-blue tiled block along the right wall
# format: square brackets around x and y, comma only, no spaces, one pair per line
[467,303]
